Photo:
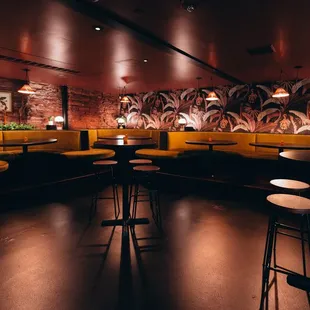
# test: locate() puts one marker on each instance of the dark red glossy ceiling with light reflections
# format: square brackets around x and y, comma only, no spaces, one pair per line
[217,33]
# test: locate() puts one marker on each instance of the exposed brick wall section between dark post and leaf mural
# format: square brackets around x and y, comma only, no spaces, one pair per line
[91,109]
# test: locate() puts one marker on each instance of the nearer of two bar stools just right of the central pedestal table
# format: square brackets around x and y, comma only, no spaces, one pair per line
[145,175]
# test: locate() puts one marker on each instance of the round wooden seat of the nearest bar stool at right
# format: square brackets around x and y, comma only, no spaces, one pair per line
[291,203]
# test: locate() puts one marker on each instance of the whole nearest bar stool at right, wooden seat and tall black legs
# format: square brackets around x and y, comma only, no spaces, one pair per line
[292,204]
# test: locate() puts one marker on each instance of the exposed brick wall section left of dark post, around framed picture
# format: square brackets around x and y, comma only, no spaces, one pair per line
[44,103]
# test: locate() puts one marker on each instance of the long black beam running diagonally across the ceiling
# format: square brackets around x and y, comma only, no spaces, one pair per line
[113,20]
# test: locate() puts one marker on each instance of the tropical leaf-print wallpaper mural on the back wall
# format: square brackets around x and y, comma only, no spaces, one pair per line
[240,108]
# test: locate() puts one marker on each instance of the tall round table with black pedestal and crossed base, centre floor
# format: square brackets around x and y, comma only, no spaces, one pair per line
[124,153]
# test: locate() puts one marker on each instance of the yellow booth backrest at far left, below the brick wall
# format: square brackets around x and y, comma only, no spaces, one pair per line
[67,140]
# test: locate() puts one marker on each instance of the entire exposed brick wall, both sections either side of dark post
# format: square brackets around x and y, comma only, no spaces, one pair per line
[86,109]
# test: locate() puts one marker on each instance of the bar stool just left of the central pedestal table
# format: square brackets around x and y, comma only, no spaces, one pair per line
[96,197]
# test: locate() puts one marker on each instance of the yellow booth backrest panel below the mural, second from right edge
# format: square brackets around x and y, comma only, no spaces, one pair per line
[176,140]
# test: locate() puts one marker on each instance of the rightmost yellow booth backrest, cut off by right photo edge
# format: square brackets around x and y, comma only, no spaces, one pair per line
[278,138]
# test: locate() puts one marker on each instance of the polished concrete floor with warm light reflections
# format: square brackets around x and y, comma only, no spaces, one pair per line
[210,257]
